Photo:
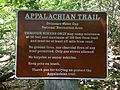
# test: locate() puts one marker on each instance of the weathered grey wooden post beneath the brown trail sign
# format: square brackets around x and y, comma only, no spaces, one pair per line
[60,85]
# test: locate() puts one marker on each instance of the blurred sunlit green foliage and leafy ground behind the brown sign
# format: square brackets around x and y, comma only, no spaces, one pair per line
[8,17]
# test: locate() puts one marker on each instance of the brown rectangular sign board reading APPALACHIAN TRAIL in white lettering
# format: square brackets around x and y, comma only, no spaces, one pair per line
[61,45]
